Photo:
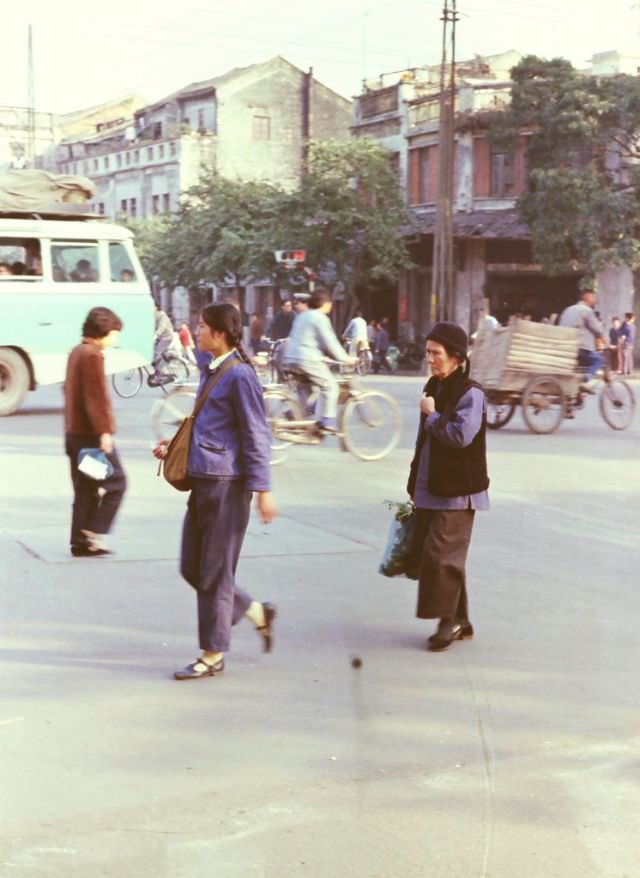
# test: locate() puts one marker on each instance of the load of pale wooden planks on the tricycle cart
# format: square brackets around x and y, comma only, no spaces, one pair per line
[505,358]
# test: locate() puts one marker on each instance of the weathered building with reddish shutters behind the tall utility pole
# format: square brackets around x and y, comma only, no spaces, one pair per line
[492,246]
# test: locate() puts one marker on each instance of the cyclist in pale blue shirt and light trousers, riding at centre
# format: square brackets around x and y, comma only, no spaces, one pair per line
[312,339]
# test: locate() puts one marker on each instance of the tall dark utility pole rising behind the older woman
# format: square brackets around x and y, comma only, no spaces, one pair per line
[442,279]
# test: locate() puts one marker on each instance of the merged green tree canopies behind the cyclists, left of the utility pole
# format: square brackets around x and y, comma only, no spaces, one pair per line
[347,216]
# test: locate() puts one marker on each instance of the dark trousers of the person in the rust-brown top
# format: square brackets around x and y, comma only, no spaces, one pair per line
[95,504]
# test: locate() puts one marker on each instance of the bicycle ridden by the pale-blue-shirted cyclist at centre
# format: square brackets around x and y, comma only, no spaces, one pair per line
[369,421]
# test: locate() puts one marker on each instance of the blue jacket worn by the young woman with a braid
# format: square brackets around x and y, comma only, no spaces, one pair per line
[231,438]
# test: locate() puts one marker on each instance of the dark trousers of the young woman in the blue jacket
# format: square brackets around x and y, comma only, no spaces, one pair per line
[212,535]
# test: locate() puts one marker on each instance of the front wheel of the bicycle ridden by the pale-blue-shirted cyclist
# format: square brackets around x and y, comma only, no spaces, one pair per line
[370,425]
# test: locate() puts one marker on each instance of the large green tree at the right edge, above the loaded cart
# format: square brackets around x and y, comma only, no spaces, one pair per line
[583,200]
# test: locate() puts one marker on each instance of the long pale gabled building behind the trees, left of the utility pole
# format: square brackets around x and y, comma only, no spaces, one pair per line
[250,123]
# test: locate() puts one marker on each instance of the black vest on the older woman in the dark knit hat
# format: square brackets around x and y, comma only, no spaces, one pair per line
[453,472]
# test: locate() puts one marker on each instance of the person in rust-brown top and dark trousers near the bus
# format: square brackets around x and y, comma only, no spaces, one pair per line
[89,423]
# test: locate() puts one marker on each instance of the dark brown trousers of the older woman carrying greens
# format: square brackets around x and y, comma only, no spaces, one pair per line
[444,535]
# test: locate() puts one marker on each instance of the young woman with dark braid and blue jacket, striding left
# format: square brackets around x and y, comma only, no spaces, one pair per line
[228,462]
